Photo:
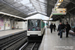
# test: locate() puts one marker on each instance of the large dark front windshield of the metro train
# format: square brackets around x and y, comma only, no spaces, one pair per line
[34,25]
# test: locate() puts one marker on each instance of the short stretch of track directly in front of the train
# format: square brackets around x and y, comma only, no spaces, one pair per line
[30,46]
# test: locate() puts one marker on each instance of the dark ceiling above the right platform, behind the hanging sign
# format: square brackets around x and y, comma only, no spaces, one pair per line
[70,5]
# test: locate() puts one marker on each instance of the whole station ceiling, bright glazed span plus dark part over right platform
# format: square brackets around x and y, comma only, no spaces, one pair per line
[26,8]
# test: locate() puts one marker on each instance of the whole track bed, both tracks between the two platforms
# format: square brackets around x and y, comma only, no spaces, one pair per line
[17,42]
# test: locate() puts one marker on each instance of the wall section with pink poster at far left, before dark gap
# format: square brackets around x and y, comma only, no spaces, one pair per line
[5,24]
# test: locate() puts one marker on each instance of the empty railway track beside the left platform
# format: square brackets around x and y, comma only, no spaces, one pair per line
[13,42]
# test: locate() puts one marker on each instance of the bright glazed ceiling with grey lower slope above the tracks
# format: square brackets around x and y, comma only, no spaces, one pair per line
[23,8]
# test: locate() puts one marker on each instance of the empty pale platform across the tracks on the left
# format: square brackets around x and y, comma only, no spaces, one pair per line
[10,32]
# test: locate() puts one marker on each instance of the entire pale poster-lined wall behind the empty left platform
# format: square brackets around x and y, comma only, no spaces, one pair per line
[7,24]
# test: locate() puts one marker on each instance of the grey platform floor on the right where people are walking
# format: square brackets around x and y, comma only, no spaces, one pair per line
[51,41]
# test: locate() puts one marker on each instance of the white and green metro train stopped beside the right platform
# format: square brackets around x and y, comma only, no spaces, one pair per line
[36,29]
